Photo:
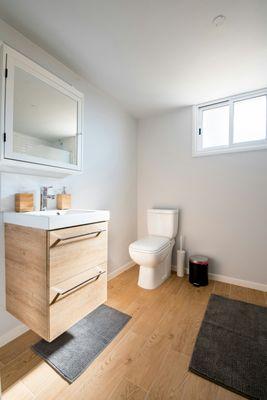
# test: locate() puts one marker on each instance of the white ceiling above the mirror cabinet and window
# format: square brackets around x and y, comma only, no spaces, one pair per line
[152,55]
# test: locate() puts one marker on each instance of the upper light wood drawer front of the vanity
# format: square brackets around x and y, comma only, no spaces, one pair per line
[76,250]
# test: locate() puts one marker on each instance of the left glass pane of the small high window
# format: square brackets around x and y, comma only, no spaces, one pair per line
[215,127]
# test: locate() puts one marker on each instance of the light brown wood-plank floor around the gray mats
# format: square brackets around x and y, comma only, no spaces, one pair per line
[147,360]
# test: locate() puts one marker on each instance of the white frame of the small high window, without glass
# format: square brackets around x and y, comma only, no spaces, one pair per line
[197,148]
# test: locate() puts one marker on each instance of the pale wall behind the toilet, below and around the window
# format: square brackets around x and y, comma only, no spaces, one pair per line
[223,198]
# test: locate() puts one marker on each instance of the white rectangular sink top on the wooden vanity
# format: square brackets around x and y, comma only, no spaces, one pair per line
[55,219]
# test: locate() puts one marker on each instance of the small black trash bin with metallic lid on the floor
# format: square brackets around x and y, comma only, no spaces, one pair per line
[198,270]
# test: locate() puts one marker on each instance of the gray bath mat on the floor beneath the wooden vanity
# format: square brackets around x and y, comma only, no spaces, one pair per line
[72,352]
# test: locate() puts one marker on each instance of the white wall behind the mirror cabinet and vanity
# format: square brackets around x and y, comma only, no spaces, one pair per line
[109,177]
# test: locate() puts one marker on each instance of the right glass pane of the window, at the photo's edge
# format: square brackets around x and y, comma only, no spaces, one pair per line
[250,119]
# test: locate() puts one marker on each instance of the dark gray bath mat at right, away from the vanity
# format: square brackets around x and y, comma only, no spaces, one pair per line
[231,347]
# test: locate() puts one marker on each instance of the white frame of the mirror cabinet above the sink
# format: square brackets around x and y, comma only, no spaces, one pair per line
[11,161]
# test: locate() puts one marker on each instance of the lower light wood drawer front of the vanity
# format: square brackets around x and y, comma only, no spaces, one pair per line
[69,308]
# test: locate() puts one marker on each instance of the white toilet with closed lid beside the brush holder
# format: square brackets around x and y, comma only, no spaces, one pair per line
[154,252]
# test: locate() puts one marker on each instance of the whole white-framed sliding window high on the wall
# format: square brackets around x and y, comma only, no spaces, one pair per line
[234,124]
